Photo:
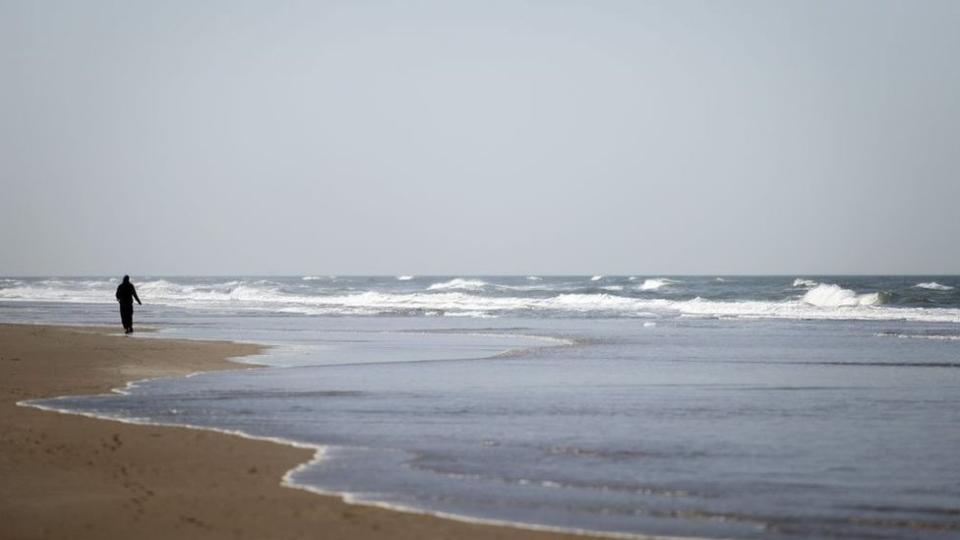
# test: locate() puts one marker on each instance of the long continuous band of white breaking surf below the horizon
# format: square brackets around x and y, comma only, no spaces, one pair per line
[469,298]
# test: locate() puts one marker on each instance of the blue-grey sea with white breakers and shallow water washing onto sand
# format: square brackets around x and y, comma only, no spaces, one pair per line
[697,406]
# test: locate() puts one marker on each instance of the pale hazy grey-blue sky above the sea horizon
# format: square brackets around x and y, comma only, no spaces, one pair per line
[479,137]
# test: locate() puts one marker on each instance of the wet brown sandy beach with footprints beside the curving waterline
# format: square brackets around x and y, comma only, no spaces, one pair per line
[67,476]
